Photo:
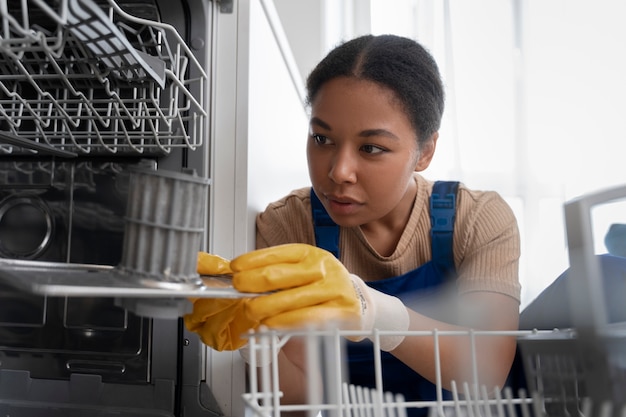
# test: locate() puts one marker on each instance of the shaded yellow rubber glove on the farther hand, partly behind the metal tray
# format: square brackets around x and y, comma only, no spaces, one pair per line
[219,322]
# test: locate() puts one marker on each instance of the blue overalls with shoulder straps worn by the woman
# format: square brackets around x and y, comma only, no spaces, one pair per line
[398,377]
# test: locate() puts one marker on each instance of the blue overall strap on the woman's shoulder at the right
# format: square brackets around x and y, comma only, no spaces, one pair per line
[442,216]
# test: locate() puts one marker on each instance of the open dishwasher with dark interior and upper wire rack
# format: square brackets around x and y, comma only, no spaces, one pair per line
[89,91]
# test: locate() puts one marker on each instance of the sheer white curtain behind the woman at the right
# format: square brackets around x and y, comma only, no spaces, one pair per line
[536,105]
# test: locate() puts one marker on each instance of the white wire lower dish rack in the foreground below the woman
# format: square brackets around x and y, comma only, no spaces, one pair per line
[556,382]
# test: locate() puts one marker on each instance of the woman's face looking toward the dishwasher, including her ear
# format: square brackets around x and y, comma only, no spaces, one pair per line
[362,151]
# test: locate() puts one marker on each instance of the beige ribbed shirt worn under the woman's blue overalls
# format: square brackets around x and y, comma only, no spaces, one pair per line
[486,239]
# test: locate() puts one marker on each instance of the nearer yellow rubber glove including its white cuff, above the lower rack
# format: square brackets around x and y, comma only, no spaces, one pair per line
[309,285]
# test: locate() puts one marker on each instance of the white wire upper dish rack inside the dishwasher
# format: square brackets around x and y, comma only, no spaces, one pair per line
[89,78]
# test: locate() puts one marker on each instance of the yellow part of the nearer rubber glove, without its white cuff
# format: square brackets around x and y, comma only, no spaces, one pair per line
[309,285]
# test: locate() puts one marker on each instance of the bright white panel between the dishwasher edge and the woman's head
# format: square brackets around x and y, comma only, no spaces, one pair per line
[277,120]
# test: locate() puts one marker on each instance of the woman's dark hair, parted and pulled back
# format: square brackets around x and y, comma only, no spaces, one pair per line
[398,63]
